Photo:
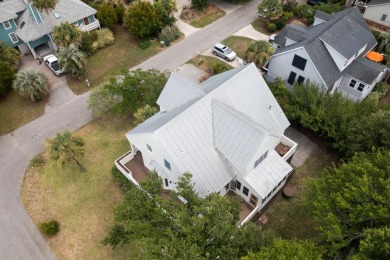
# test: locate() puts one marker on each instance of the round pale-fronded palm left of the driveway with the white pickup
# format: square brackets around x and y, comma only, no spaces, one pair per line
[32,84]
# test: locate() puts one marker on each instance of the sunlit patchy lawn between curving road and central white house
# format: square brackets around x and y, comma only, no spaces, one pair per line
[82,202]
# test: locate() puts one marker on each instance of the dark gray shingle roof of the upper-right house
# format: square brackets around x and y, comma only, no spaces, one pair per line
[346,32]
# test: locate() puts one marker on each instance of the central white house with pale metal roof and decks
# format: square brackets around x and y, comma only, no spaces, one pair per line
[223,131]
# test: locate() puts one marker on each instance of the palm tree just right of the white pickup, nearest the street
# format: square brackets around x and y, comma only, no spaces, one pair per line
[73,60]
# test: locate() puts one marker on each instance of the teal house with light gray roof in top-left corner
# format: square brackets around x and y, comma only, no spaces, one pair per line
[24,27]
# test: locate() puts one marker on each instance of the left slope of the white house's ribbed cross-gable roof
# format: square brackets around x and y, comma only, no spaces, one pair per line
[236,136]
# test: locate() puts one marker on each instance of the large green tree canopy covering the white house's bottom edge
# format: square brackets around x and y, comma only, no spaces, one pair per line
[168,229]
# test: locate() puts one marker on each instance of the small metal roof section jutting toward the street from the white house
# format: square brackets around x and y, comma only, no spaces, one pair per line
[178,91]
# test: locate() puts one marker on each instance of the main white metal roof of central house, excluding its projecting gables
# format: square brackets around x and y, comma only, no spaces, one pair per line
[187,135]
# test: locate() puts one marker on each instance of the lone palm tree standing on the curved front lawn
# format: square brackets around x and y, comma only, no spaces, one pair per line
[65,148]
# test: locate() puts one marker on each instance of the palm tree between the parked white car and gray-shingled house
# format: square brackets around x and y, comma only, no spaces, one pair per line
[259,52]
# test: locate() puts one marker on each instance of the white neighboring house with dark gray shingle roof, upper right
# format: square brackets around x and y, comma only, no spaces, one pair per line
[331,52]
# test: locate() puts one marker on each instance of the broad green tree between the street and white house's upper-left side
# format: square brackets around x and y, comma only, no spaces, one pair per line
[127,92]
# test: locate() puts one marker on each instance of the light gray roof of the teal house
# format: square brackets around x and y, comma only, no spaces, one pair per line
[68,10]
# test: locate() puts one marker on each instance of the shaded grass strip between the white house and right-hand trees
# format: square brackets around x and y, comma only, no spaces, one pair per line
[288,217]
